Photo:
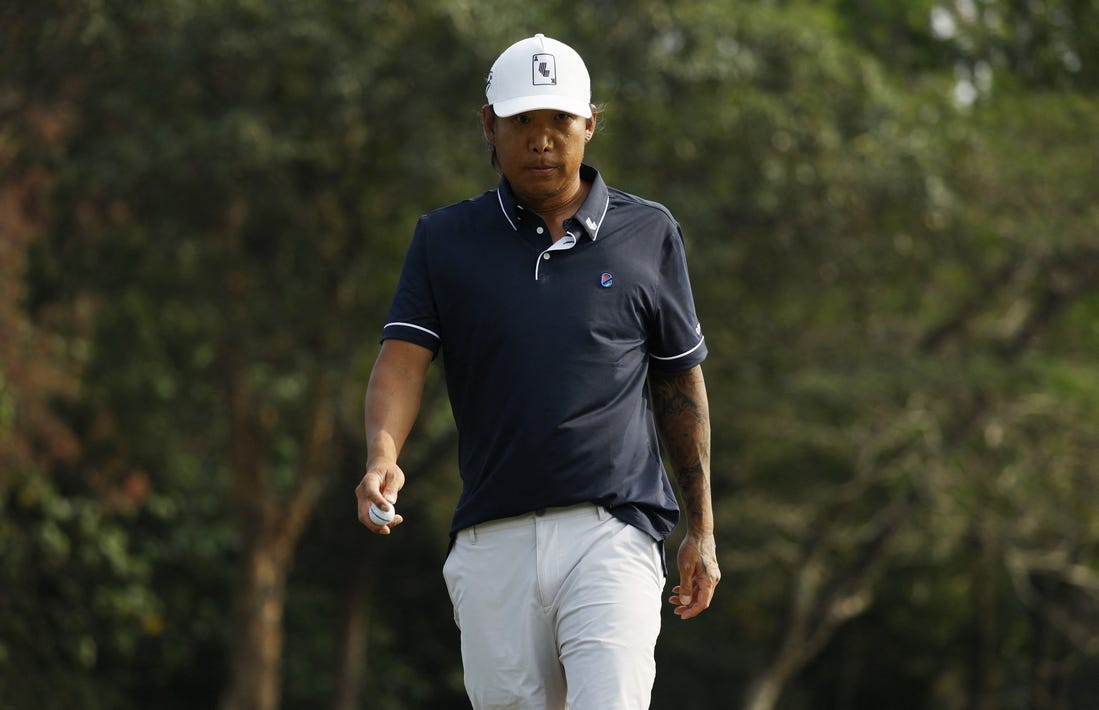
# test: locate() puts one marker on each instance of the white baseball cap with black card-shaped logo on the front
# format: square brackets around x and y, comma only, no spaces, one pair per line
[539,73]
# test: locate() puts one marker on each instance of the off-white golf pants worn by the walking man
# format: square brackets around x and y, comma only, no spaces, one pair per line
[558,609]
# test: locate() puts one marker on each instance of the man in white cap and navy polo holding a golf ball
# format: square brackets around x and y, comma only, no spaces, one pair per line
[554,301]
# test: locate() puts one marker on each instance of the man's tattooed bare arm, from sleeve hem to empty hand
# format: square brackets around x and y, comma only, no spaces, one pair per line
[683,418]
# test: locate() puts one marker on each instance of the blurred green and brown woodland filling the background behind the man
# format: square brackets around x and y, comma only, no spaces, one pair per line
[895,247]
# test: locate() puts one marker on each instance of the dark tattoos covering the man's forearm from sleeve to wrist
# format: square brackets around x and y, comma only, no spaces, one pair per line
[683,419]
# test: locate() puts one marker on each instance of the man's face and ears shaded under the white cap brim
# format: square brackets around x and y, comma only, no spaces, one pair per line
[540,152]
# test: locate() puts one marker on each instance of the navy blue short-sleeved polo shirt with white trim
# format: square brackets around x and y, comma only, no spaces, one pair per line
[547,349]
